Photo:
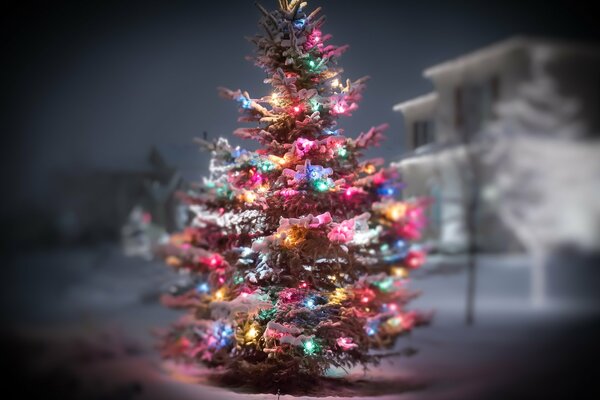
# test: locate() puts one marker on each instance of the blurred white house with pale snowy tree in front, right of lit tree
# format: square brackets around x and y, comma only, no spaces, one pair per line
[506,130]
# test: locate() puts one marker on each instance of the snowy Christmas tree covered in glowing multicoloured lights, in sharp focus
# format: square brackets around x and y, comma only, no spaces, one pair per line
[298,254]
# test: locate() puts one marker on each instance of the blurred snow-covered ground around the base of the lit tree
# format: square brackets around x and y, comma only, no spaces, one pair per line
[90,313]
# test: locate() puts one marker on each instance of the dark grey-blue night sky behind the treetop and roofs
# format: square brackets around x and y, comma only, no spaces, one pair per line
[93,84]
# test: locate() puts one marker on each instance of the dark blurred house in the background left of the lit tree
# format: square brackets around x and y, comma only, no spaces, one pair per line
[94,205]
